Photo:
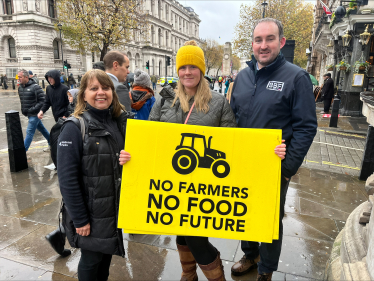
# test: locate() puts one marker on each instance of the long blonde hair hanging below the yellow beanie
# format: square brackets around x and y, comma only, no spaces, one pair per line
[202,97]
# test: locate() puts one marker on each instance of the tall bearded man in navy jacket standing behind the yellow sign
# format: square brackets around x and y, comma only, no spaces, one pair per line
[272,93]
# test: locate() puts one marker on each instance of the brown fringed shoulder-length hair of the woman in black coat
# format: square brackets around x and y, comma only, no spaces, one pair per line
[104,80]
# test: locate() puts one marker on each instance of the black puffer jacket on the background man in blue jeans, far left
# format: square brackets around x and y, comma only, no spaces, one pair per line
[32,98]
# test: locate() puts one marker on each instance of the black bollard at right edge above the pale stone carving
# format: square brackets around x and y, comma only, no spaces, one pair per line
[367,164]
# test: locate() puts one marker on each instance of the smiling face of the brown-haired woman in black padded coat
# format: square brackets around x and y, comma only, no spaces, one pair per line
[98,96]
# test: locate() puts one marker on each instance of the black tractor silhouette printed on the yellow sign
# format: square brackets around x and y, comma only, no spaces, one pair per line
[193,152]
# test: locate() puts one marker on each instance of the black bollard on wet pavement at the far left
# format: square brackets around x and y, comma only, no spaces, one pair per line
[16,147]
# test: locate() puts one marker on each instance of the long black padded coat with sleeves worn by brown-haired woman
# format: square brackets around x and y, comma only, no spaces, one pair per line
[90,180]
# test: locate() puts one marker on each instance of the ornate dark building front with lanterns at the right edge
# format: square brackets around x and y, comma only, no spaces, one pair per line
[328,49]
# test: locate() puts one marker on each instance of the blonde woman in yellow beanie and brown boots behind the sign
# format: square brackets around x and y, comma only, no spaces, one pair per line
[192,102]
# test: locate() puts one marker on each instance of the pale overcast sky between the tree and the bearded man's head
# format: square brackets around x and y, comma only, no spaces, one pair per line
[218,18]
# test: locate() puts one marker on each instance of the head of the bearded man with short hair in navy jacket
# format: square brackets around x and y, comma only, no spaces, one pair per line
[266,44]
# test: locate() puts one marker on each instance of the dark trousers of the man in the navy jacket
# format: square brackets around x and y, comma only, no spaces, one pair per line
[269,252]
